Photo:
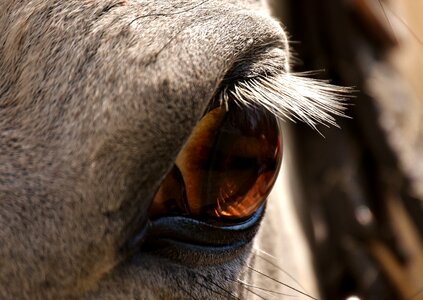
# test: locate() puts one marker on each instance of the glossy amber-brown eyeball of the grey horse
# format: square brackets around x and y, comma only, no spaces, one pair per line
[226,169]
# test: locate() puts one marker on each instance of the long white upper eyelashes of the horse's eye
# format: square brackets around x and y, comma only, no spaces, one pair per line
[293,97]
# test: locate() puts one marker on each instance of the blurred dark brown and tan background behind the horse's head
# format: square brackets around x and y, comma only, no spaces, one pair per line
[361,188]
